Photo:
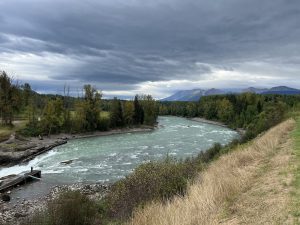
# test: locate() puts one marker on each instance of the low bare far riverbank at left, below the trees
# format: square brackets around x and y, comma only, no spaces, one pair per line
[18,150]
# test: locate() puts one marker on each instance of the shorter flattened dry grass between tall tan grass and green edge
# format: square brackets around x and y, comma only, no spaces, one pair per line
[266,201]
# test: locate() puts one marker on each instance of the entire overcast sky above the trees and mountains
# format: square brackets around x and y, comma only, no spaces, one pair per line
[157,47]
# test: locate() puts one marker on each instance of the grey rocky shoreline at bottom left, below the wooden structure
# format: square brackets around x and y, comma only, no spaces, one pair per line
[14,213]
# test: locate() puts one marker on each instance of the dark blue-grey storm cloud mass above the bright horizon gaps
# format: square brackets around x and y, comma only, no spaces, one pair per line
[135,41]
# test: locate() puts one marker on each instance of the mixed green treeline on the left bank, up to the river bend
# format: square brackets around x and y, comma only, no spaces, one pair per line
[50,114]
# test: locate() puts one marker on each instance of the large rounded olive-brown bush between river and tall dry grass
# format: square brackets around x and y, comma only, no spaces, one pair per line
[149,182]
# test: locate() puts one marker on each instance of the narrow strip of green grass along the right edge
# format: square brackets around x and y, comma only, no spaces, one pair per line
[295,194]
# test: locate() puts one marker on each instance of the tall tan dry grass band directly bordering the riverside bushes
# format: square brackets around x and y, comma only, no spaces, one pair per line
[221,183]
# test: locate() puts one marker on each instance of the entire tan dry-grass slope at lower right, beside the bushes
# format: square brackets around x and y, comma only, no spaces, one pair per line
[244,176]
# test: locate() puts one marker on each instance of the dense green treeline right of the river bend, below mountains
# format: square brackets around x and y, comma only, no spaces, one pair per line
[252,112]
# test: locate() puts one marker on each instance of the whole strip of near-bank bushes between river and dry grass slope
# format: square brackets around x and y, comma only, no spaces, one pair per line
[151,181]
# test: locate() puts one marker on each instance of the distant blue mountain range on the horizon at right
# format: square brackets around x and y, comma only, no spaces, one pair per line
[196,94]
